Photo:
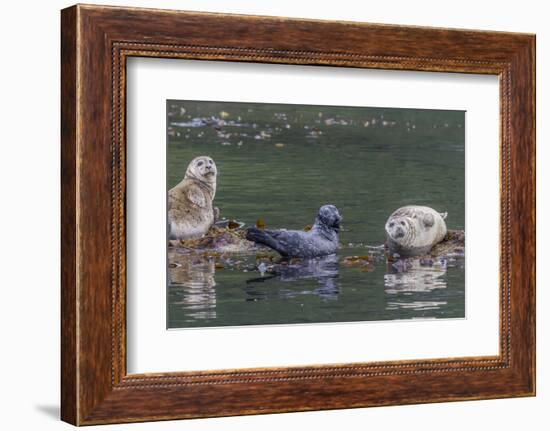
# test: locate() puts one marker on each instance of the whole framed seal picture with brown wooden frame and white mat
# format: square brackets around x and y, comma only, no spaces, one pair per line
[262,214]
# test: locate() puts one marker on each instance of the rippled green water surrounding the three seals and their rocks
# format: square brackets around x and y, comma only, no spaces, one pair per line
[280,163]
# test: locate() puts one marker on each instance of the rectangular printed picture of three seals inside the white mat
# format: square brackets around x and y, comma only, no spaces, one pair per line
[278,254]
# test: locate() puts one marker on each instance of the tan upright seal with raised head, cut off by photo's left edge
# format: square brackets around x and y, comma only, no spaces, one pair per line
[190,210]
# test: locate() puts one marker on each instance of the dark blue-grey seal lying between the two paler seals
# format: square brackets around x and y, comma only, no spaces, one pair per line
[321,240]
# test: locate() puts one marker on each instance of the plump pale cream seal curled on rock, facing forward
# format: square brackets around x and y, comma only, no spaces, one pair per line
[413,230]
